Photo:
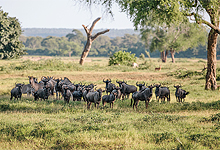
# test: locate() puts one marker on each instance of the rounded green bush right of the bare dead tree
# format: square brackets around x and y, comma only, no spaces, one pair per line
[122,58]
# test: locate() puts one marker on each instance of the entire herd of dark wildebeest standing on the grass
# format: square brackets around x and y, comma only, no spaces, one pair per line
[47,86]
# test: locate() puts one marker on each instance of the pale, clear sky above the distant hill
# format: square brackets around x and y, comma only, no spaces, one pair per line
[63,14]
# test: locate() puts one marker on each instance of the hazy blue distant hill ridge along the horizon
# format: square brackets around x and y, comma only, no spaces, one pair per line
[59,32]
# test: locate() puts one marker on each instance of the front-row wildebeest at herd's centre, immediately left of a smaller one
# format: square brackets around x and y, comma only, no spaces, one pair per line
[94,97]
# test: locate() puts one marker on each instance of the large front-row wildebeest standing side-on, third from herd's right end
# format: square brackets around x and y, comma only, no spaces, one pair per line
[144,95]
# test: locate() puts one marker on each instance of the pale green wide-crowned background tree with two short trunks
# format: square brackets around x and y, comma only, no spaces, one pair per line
[174,38]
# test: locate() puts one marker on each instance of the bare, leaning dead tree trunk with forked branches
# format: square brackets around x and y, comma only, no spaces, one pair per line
[90,39]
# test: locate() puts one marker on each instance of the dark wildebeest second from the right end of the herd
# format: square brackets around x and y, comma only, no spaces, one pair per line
[162,92]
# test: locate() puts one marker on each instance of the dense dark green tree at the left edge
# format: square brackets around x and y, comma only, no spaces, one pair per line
[10,31]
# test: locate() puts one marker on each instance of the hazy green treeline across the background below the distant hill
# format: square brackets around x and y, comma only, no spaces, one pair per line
[73,44]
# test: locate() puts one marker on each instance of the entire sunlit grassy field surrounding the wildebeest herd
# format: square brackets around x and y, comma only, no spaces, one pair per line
[52,124]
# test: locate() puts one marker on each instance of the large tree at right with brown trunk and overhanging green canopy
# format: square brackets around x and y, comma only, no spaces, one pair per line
[173,12]
